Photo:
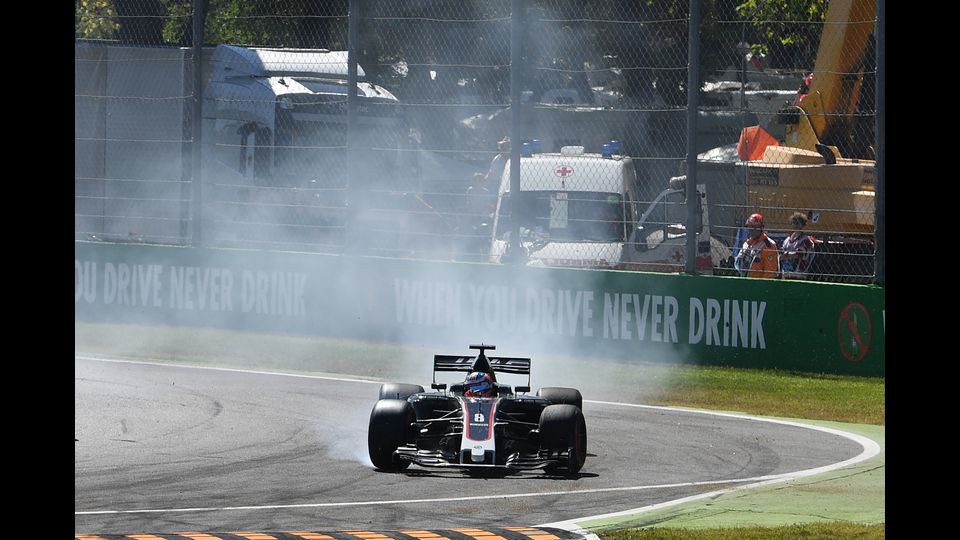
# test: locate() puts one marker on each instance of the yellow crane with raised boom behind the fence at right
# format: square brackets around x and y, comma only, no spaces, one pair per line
[825,165]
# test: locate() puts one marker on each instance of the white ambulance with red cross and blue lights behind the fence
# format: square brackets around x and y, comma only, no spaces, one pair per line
[578,209]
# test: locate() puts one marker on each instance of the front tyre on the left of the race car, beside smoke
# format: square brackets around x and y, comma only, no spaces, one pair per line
[390,423]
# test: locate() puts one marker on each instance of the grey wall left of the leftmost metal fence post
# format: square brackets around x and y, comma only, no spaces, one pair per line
[134,103]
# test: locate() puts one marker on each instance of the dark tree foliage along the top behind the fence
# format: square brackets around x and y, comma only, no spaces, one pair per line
[647,39]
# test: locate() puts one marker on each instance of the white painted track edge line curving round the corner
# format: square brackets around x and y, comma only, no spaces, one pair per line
[870,449]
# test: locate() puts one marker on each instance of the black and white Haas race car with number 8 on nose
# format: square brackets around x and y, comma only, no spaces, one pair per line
[479,423]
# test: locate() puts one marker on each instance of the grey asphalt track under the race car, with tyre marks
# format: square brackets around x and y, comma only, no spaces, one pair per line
[164,448]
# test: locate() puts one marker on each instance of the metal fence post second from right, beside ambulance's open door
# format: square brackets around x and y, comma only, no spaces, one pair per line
[693,106]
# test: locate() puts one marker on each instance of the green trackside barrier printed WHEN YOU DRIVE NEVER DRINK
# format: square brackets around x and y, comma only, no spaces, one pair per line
[812,327]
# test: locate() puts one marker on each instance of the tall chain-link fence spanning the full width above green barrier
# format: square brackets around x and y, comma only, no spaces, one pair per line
[408,156]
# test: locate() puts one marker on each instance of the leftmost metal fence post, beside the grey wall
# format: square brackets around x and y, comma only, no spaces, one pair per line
[196,214]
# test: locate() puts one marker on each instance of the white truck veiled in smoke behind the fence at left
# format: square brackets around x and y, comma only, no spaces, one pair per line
[280,115]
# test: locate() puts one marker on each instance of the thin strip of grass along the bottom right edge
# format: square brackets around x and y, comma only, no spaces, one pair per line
[812,531]
